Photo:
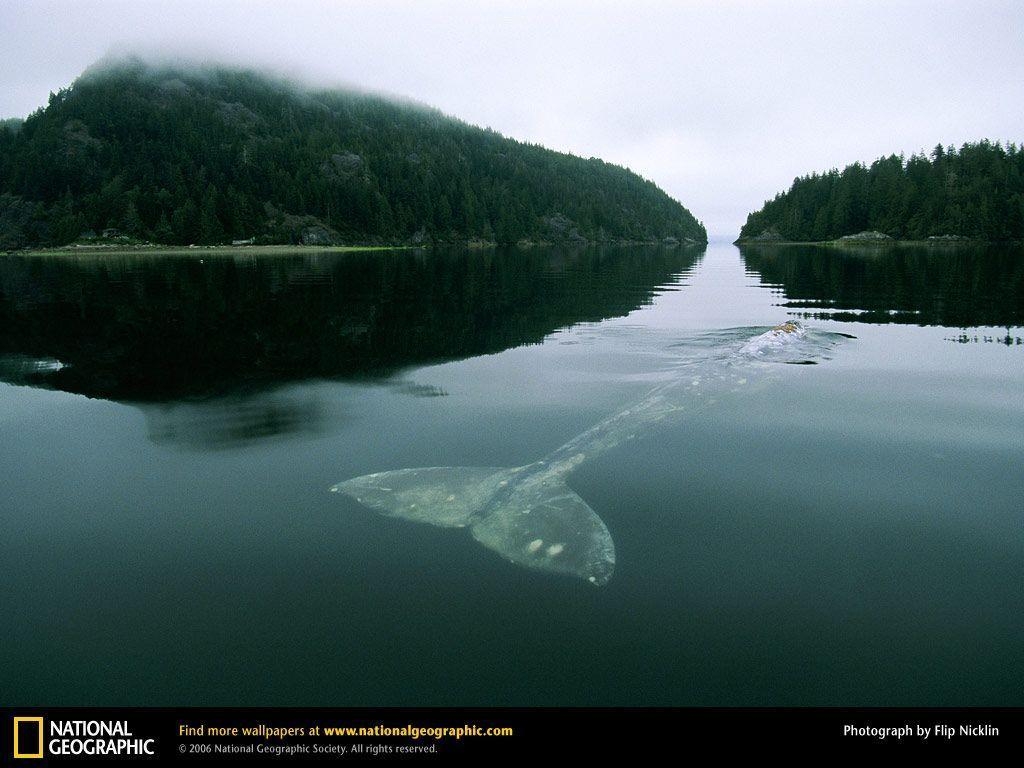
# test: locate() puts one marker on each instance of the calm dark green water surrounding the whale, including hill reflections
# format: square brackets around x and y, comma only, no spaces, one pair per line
[850,533]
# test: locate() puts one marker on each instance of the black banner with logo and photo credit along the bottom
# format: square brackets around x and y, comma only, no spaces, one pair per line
[60,736]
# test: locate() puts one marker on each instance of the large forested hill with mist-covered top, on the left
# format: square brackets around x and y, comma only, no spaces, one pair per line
[180,156]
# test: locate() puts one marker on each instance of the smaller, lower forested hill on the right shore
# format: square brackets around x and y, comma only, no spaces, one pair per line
[976,193]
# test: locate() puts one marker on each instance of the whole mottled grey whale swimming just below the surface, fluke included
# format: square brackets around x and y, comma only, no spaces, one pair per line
[529,515]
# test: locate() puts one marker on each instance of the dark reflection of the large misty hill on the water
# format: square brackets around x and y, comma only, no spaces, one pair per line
[152,330]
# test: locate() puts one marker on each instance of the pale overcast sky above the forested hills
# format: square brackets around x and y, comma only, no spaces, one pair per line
[721,104]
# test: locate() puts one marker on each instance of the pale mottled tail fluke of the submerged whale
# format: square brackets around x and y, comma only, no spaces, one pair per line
[532,519]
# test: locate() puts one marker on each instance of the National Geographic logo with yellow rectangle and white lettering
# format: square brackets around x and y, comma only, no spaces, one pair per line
[78,739]
